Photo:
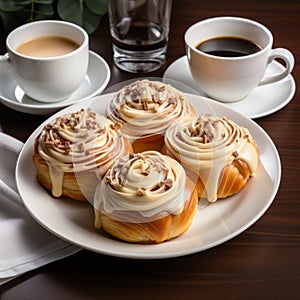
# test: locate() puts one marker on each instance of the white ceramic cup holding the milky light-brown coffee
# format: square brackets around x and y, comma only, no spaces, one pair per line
[53,78]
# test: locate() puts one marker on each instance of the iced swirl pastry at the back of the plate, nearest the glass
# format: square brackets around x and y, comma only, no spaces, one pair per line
[146,109]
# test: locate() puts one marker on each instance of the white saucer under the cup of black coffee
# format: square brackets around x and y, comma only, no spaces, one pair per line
[264,100]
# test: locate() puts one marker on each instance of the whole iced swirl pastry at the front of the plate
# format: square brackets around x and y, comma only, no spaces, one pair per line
[145,198]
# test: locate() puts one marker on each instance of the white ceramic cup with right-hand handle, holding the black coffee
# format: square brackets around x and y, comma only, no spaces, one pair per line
[229,79]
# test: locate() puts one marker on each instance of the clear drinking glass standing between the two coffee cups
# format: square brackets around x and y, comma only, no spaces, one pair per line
[139,30]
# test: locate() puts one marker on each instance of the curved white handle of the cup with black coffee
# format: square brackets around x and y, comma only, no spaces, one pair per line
[287,57]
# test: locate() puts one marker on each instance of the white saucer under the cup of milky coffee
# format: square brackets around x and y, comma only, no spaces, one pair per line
[95,81]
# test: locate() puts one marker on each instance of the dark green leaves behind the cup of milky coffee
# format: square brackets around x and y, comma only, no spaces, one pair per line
[86,13]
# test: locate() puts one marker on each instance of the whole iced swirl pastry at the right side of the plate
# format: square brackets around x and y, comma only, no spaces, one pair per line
[222,154]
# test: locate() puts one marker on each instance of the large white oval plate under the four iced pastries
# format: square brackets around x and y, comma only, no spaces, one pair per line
[213,224]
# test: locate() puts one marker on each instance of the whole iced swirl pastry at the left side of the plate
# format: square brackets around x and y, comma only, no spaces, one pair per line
[74,152]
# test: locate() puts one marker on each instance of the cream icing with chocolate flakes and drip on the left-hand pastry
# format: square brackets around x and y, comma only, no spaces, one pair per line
[78,142]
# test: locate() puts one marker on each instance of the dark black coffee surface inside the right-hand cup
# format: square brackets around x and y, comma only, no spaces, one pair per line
[228,47]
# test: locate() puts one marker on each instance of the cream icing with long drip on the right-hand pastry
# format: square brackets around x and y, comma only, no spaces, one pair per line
[207,144]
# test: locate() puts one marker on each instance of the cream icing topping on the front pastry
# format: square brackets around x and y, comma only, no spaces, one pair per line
[142,187]
